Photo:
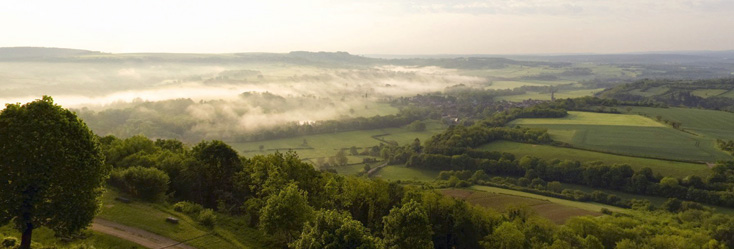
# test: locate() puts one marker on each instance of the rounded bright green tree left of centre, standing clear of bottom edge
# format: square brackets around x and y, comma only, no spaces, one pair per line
[284,214]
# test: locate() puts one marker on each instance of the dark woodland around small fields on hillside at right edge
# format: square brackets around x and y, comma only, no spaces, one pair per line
[675,93]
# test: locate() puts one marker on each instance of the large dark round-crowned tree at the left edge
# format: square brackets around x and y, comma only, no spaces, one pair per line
[51,169]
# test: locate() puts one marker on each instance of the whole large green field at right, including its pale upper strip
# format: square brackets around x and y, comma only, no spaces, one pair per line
[627,134]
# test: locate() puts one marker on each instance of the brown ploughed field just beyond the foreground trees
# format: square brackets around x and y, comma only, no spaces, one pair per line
[500,199]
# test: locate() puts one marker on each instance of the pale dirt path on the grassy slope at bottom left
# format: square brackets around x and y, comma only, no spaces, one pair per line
[136,235]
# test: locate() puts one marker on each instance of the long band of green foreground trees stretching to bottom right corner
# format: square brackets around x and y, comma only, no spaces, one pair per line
[300,207]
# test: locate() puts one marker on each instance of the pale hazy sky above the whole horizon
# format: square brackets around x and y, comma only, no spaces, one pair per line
[371,26]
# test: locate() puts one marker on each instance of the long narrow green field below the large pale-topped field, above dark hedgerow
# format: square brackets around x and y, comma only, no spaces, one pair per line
[665,168]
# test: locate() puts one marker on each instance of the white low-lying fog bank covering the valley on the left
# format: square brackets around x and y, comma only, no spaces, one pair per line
[226,99]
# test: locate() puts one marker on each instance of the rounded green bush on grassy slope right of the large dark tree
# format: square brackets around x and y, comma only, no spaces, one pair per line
[145,183]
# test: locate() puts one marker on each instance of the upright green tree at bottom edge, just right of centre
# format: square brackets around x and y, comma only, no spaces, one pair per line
[407,227]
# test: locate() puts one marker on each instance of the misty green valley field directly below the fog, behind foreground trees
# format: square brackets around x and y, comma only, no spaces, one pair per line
[327,145]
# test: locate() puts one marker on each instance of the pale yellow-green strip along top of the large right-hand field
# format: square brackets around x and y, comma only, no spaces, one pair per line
[591,118]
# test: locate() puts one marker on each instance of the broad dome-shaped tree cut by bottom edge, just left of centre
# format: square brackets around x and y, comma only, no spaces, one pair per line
[334,230]
